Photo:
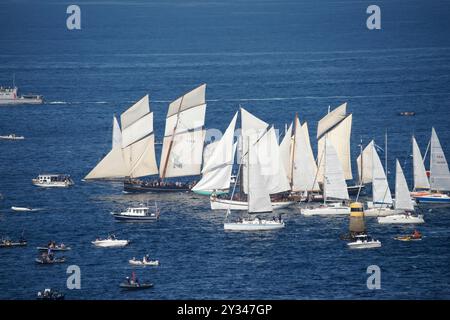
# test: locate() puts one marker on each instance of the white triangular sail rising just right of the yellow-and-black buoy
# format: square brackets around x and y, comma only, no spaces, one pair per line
[381,193]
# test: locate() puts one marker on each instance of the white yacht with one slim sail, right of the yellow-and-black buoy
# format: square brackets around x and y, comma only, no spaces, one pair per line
[403,202]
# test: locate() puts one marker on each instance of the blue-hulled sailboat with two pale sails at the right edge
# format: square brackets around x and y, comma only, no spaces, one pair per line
[439,174]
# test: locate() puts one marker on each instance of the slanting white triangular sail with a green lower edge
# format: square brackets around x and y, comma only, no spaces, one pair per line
[217,171]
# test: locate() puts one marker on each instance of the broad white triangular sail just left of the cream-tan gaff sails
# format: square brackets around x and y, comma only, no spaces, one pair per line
[304,169]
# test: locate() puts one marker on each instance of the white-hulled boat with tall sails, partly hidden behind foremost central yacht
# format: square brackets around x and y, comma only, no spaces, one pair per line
[274,176]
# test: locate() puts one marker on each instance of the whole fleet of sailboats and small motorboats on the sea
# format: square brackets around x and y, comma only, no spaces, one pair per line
[271,175]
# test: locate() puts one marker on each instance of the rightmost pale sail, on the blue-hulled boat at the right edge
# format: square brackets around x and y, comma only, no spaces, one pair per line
[439,172]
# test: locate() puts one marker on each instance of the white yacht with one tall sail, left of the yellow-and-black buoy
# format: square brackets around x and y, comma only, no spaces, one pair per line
[334,185]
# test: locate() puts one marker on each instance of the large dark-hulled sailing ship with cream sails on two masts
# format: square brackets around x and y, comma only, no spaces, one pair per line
[132,156]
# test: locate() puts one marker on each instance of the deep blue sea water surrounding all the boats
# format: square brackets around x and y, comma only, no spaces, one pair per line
[274,58]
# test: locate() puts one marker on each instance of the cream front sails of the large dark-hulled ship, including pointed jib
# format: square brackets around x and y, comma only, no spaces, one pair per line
[132,153]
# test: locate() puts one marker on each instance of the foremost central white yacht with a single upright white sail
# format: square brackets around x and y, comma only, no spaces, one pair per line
[258,199]
